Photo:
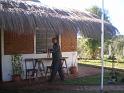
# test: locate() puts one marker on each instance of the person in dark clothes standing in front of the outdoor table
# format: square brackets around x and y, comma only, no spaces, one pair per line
[56,61]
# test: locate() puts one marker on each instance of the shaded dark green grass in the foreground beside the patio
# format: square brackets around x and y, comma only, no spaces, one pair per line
[94,80]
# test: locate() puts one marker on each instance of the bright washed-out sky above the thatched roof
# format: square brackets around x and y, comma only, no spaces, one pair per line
[114,7]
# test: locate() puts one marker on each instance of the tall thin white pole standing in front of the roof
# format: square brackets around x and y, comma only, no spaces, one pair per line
[102,48]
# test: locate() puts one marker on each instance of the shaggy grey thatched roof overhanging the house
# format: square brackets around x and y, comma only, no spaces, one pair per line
[27,17]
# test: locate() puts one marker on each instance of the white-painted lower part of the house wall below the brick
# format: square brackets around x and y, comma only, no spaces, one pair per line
[7,67]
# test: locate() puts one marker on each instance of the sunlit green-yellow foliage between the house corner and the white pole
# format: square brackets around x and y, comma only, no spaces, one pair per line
[88,48]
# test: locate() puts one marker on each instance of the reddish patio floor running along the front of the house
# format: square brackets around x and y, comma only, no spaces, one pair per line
[41,83]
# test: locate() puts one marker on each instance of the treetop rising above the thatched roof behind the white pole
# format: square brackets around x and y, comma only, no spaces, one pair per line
[98,11]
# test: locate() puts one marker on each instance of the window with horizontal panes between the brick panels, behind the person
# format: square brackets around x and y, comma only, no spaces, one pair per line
[43,41]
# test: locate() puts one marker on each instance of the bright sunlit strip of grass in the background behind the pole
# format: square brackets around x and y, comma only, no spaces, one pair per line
[107,63]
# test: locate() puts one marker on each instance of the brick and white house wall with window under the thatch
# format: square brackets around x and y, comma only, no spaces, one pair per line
[34,46]
